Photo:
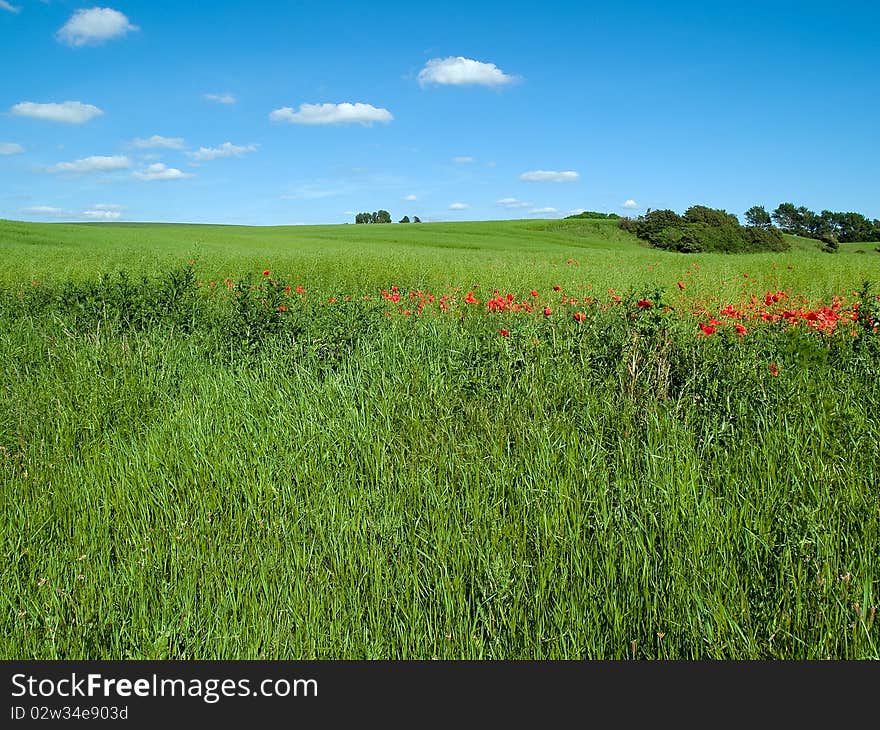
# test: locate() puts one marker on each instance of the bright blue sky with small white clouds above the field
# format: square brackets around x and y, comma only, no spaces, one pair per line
[308,112]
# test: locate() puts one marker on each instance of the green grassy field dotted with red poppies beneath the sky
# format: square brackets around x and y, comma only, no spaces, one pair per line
[196,468]
